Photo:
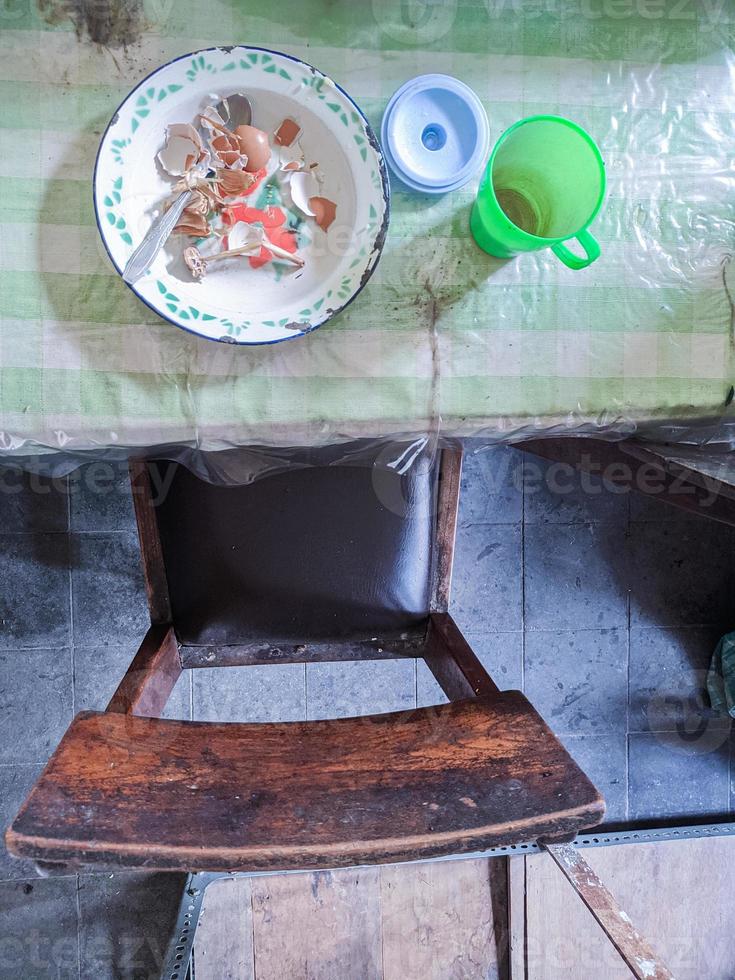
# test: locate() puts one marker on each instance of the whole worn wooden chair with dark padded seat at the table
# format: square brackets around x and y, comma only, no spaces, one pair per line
[319,563]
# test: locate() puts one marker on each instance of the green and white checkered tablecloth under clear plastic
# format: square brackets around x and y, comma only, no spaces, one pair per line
[443,336]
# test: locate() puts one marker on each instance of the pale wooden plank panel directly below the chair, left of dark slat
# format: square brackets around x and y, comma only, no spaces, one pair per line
[428,921]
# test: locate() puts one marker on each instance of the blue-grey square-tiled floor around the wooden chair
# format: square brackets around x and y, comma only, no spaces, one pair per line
[604,608]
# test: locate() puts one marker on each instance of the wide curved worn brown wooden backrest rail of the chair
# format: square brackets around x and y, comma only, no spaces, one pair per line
[123,790]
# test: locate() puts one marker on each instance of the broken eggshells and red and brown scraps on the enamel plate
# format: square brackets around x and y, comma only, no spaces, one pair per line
[223,168]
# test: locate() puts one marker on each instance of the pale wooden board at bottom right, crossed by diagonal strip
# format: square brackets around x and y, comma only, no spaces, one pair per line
[679,894]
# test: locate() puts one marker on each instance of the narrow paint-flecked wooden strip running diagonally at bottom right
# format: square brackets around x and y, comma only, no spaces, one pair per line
[634,949]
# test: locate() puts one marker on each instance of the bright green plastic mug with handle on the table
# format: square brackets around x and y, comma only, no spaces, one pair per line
[543,185]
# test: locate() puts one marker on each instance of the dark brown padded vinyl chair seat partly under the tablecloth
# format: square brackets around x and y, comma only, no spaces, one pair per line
[318,552]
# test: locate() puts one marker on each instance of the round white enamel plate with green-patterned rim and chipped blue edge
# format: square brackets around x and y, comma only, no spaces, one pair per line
[235,303]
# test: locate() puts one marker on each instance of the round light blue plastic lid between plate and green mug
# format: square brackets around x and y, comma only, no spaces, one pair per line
[435,133]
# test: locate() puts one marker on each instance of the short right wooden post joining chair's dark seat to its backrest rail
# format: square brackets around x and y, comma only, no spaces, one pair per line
[452,661]
